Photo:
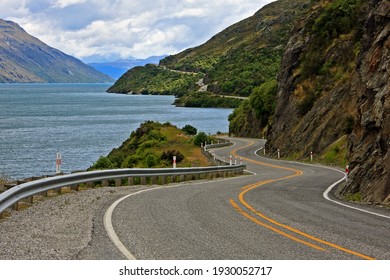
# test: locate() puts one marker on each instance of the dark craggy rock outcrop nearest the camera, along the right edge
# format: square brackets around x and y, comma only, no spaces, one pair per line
[370,140]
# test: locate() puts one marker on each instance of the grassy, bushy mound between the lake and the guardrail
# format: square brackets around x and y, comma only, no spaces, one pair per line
[154,144]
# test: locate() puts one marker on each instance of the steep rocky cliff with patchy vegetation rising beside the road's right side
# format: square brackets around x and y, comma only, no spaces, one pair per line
[333,85]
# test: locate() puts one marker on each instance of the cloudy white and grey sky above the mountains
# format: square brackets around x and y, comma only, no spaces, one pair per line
[106,30]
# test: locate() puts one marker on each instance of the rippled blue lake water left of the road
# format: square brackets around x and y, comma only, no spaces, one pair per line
[82,122]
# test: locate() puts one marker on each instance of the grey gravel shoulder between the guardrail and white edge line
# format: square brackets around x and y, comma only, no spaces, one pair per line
[61,227]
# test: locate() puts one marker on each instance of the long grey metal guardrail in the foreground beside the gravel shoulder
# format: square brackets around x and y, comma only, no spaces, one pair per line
[16,194]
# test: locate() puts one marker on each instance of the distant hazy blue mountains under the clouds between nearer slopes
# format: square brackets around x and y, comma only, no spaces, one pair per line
[117,68]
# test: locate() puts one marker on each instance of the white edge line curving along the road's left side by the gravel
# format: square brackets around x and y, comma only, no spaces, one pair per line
[107,219]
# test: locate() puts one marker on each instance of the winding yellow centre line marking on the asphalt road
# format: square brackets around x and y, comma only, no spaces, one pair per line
[250,187]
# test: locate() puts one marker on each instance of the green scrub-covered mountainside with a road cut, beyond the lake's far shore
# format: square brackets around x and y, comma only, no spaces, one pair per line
[232,63]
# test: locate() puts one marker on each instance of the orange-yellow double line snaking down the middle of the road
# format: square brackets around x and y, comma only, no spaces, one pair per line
[254,215]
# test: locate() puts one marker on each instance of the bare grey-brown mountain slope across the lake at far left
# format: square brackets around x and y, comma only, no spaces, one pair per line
[25,59]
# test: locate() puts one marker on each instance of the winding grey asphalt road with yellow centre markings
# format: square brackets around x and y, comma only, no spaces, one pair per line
[279,213]
